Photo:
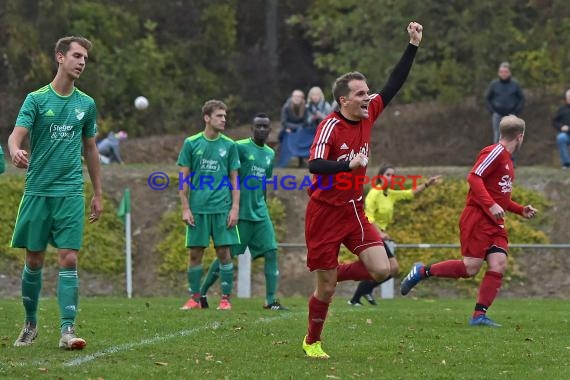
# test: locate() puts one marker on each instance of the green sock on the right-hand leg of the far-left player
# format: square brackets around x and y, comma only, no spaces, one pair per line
[67,295]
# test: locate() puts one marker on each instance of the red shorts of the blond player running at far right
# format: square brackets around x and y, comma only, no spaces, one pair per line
[479,235]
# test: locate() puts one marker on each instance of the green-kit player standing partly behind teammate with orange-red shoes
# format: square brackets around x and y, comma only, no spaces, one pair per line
[255,227]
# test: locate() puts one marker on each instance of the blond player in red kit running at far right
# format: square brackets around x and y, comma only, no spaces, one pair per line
[482,228]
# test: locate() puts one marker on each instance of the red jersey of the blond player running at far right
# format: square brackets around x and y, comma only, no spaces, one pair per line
[494,167]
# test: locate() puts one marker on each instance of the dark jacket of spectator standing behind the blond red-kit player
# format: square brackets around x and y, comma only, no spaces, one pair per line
[504,97]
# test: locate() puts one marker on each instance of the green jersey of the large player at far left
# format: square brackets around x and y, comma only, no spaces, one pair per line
[56,125]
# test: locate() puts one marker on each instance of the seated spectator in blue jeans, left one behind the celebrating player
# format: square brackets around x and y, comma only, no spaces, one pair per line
[293,139]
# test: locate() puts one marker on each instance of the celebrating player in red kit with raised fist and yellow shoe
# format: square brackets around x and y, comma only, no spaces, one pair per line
[335,213]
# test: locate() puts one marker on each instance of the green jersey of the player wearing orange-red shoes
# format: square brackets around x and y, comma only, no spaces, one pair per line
[210,163]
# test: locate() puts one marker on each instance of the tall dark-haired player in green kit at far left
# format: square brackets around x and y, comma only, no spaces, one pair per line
[58,118]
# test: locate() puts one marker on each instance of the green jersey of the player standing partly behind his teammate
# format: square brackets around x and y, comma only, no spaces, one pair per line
[256,164]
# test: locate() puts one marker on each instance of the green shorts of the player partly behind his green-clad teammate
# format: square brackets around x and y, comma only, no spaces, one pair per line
[259,236]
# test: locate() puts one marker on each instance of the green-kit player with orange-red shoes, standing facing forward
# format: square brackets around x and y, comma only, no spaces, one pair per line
[210,200]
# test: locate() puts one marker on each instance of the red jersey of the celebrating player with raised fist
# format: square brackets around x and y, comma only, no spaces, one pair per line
[340,139]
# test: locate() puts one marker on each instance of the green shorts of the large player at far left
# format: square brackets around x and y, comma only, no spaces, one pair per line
[41,220]
